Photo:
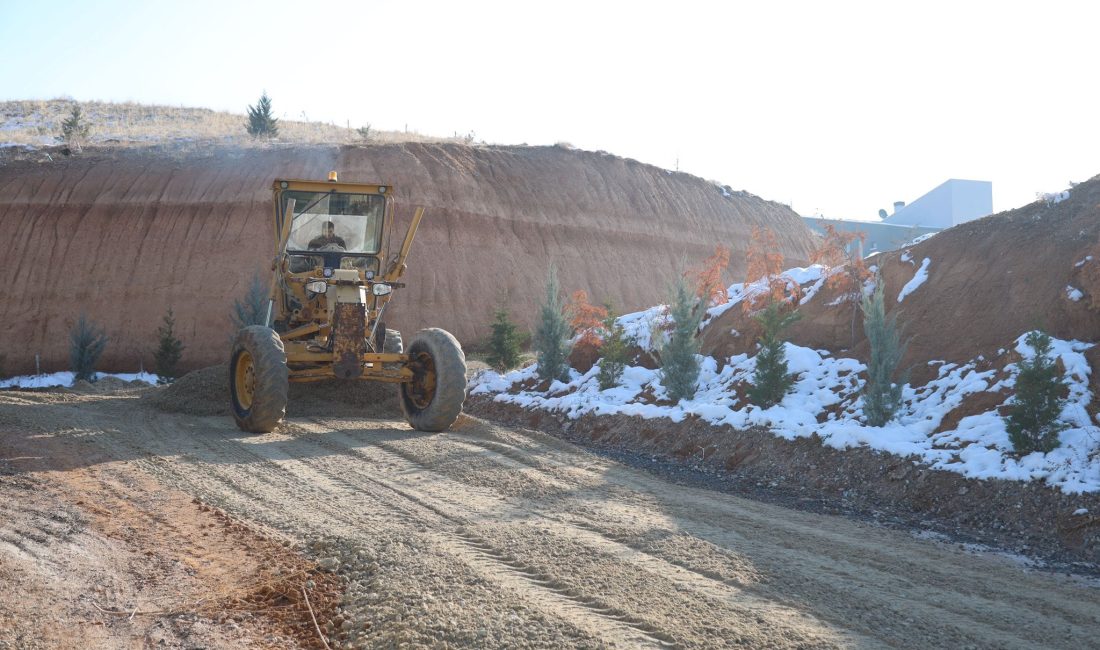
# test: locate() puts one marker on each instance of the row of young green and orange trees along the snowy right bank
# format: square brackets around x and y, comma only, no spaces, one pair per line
[772,300]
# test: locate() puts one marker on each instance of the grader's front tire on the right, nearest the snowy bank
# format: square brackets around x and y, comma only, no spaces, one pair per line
[439,354]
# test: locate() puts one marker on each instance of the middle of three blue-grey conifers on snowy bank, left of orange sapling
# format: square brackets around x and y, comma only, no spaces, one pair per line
[679,363]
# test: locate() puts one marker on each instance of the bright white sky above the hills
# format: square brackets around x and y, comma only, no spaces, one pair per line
[833,107]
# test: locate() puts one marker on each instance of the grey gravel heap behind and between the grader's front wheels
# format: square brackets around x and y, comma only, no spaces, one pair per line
[206,393]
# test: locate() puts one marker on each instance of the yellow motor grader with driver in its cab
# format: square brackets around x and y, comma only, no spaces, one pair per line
[333,278]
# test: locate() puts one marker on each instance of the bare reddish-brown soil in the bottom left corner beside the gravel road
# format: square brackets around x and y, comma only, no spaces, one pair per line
[103,556]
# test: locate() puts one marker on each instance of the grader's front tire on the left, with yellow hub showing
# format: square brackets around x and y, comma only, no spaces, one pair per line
[258,380]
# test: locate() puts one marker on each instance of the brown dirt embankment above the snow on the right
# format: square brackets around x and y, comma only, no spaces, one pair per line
[988,282]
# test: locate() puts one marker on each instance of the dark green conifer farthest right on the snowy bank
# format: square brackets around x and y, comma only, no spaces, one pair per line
[1033,417]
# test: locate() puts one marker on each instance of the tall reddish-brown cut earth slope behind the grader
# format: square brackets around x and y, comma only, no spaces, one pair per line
[125,235]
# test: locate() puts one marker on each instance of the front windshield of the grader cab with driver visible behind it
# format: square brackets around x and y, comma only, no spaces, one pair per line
[328,222]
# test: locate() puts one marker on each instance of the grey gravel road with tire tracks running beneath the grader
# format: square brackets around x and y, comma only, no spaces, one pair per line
[501,538]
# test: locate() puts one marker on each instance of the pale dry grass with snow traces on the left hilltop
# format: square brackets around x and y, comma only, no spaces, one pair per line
[38,123]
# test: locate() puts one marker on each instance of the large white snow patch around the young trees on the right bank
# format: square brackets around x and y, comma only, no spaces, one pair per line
[977,447]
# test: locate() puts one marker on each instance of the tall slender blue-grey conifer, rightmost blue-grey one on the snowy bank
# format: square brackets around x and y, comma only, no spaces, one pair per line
[882,395]
